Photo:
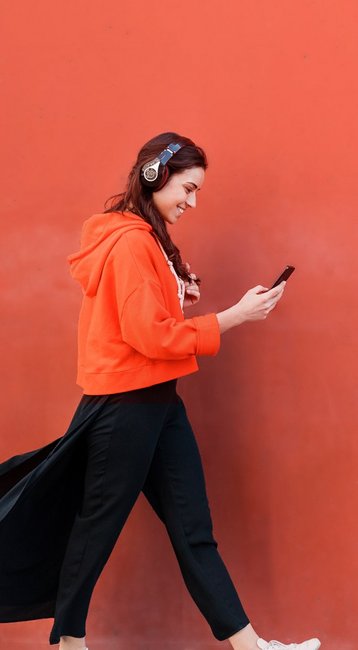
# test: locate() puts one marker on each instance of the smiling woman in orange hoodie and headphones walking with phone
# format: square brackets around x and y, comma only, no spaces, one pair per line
[64,505]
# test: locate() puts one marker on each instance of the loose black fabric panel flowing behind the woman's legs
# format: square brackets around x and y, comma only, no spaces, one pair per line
[40,492]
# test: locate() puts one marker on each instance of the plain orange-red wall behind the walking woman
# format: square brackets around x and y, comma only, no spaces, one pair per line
[269,89]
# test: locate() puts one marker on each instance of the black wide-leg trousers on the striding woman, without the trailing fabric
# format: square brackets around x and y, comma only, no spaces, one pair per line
[142,440]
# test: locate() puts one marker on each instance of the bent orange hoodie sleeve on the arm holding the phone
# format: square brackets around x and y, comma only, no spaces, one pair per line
[148,327]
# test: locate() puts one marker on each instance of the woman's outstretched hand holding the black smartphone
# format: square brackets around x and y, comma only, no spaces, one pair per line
[255,305]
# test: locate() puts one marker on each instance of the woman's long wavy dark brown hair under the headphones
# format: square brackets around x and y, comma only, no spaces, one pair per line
[138,199]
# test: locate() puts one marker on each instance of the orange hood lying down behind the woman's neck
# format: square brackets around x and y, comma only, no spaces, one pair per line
[99,234]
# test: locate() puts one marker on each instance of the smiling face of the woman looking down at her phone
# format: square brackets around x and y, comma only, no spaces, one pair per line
[179,193]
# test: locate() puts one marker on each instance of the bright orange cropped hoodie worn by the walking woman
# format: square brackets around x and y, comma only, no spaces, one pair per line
[131,331]
